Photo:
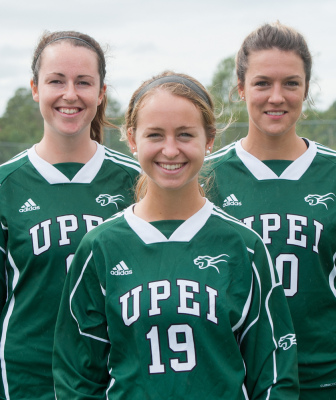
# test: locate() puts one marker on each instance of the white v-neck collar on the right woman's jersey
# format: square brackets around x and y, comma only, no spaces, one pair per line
[261,171]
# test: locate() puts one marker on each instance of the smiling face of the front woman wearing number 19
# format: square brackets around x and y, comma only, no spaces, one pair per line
[170,140]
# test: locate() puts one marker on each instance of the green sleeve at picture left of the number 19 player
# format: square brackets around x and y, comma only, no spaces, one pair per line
[81,343]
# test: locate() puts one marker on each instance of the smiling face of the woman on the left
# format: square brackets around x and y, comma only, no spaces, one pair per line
[68,89]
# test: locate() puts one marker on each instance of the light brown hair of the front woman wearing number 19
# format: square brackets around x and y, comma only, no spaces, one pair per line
[201,99]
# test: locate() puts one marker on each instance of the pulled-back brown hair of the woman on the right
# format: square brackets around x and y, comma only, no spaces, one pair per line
[277,36]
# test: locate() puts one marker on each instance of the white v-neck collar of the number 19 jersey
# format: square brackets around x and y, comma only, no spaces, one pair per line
[184,233]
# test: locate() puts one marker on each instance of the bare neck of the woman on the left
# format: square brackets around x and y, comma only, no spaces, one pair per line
[71,149]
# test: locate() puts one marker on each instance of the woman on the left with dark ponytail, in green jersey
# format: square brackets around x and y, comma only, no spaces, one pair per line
[50,196]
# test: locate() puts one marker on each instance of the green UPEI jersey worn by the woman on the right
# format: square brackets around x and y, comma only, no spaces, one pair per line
[294,211]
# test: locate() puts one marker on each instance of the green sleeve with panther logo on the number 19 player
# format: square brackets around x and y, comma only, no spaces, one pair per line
[268,342]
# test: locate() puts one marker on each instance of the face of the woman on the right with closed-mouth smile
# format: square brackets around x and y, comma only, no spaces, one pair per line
[274,91]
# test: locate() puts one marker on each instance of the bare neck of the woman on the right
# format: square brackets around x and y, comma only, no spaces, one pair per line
[274,147]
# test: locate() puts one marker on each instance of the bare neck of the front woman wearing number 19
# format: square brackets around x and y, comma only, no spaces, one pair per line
[169,205]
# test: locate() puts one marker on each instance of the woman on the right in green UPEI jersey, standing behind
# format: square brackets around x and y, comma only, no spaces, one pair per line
[283,186]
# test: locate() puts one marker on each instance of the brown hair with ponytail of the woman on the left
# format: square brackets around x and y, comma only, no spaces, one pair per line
[82,40]
